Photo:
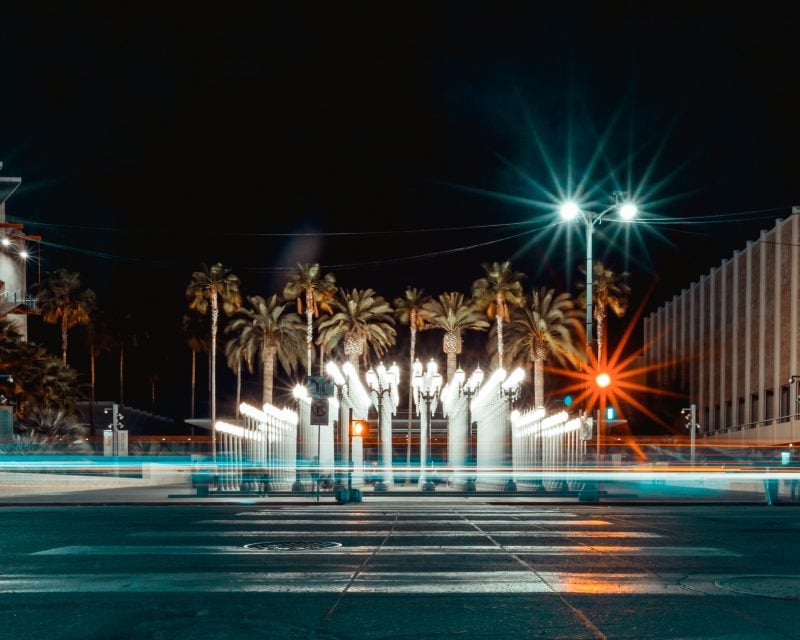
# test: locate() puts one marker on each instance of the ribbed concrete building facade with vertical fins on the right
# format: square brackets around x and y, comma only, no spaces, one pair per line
[730,342]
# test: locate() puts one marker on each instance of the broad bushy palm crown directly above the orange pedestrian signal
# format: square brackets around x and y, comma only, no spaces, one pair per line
[361,320]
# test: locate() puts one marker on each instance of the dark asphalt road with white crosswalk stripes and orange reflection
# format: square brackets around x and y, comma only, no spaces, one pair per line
[399,569]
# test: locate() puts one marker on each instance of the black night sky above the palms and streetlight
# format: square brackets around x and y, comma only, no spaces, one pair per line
[395,143]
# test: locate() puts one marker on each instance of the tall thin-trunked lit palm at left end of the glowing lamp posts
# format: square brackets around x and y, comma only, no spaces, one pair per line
[204,292]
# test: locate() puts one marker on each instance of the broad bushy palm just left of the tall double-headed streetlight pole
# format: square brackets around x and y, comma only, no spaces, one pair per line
[547,325]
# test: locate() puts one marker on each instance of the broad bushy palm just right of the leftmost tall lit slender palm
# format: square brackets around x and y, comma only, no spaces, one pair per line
[263,332]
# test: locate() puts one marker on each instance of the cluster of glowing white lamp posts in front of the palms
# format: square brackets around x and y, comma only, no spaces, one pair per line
[272,441]
